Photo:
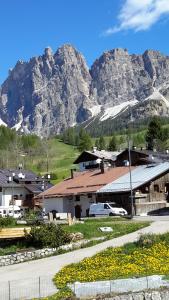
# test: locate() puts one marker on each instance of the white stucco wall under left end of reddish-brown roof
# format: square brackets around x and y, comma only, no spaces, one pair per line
[53,204]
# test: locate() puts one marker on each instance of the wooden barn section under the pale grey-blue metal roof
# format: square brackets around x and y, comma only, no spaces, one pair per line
[150,187]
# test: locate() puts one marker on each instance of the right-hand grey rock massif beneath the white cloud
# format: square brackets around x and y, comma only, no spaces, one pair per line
[118,77]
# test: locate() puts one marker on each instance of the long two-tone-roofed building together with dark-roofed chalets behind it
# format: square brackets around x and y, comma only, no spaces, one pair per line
[107,177]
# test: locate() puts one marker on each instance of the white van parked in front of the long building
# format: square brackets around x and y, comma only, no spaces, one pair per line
[106,209]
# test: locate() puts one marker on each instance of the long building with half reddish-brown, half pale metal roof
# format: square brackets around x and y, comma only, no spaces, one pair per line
[150,186]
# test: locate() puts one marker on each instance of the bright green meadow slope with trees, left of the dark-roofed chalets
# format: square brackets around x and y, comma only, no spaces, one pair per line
[41,156]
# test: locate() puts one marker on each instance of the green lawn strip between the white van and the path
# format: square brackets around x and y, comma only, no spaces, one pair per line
[120,226]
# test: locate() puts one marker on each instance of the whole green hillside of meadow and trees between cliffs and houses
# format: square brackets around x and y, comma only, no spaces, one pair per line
[55,155]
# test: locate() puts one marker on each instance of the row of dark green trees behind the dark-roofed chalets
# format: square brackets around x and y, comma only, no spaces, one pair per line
[154,136]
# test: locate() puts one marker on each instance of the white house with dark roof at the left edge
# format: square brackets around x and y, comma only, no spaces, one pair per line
[19,187]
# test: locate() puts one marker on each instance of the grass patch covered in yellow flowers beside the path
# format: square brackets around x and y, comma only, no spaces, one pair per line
[148,256]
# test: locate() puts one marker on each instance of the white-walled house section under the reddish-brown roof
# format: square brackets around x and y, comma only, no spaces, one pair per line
[75,194]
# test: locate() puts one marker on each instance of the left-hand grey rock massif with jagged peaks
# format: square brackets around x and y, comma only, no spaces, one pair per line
[48,93]
